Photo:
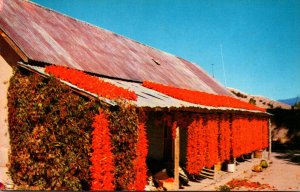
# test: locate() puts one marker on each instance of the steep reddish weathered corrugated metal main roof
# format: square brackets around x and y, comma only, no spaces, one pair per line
[47,36]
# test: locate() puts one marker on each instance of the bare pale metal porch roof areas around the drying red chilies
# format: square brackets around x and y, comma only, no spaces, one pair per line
[148,98]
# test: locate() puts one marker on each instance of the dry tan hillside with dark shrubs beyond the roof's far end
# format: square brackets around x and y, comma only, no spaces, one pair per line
[259,101]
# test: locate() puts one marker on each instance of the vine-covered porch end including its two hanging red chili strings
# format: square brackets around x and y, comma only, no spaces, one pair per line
[63,141]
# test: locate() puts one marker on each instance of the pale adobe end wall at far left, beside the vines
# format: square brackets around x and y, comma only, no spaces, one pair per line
[8,58]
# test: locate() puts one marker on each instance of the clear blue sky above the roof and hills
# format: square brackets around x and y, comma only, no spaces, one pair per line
[260,38]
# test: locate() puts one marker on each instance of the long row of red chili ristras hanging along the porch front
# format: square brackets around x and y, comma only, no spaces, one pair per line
[211,138]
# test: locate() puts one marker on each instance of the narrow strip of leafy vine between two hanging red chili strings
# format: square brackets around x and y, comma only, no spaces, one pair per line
[123,127]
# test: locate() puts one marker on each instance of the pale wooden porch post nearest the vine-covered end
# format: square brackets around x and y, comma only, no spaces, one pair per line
[176,160]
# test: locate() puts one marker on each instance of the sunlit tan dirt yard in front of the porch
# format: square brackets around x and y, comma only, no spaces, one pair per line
[283,174]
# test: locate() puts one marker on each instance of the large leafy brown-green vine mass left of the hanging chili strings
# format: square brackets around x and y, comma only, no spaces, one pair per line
[50,132]
